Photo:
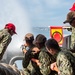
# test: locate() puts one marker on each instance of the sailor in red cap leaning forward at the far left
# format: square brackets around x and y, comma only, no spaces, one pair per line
[6,37]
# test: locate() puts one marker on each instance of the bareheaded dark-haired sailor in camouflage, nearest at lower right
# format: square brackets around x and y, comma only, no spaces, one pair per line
[65,61]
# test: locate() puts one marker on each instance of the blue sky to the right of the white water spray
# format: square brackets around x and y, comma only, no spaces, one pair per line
[47,12]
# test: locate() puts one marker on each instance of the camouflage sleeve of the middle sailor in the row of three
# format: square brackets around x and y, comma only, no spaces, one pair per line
[45,62]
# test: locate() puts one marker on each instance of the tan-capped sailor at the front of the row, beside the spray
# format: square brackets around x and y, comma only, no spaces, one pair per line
[30,68]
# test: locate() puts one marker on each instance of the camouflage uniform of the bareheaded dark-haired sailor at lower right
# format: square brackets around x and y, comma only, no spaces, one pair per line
[65,63]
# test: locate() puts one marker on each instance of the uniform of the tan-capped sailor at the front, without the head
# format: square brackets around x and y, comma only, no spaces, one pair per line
[30,67]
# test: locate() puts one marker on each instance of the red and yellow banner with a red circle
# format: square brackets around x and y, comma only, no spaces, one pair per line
[57,34]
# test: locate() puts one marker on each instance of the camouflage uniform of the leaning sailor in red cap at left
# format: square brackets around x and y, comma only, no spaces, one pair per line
[5,39]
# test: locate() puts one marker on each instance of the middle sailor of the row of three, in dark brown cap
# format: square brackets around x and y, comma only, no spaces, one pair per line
[44,57]
